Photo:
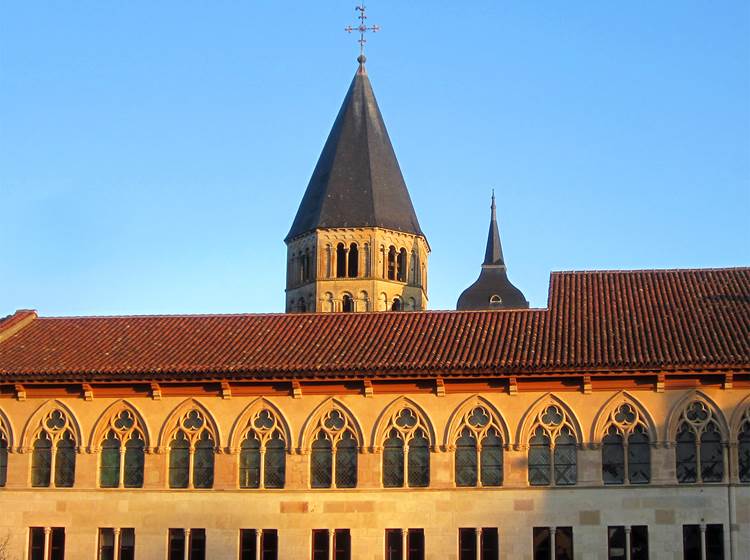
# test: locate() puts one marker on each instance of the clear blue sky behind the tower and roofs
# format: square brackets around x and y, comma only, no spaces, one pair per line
[153,154]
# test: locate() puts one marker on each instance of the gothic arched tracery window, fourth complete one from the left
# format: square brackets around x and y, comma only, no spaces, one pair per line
[263,452]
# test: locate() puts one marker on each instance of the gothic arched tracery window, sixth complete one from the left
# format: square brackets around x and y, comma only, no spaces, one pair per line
[406,451]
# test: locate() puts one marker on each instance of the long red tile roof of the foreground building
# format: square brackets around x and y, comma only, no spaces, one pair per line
[595,321]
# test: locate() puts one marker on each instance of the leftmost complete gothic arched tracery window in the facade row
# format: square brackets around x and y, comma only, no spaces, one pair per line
[53,461]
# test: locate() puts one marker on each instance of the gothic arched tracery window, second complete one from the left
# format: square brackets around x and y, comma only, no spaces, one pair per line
[122,453]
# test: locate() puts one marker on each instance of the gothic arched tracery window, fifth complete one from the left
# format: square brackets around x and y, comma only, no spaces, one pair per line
[333,459]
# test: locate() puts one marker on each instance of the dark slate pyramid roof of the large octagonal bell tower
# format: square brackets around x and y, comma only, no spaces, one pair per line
[357,181]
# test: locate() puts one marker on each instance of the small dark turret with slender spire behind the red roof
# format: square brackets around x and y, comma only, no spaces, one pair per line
[492,290]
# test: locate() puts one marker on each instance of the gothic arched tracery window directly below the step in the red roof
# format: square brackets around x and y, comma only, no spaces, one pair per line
[553,449]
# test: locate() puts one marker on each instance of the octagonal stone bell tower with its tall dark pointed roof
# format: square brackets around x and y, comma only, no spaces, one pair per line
[355,243]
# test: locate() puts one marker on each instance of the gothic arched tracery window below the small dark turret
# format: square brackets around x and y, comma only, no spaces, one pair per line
[479,450]
